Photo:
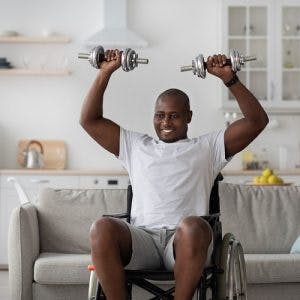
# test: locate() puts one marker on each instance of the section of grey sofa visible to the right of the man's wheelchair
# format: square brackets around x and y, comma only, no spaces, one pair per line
[266,220]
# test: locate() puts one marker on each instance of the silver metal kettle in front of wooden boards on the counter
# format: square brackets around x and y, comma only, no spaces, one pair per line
[33,159]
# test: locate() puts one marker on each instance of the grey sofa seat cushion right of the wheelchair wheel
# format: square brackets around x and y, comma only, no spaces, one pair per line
[272,268]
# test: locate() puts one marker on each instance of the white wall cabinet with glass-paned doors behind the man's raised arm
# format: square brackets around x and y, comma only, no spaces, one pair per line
[269,29]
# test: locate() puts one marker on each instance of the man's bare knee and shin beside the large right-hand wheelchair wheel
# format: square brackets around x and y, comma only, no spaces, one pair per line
[192,239]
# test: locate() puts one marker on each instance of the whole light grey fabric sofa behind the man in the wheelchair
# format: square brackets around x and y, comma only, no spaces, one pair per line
[49,240]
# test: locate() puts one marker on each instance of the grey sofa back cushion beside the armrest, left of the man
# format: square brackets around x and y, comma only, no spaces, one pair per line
[65,216]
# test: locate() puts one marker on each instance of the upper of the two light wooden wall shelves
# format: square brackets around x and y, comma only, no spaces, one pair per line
[28,39]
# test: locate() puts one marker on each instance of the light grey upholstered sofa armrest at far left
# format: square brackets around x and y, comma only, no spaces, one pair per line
[23,250]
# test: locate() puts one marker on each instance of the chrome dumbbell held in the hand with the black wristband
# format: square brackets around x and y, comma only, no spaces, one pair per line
[236,61]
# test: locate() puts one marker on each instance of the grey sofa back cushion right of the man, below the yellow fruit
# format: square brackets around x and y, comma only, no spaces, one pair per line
[269,215]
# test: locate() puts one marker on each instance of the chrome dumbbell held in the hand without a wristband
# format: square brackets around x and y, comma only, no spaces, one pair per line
[129,58]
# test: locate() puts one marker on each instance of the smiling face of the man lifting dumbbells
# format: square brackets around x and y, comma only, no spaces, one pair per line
[171,118]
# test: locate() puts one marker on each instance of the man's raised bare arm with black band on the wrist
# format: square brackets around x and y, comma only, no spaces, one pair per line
[242,132]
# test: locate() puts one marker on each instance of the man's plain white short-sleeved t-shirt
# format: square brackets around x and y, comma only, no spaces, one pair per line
[170,181]
